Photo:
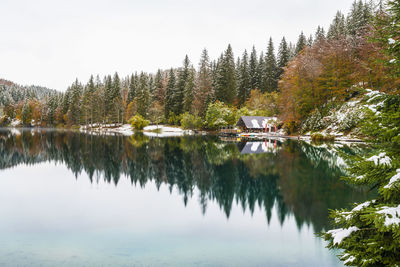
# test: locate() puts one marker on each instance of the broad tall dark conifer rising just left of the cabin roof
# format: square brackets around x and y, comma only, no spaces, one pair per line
[226,79]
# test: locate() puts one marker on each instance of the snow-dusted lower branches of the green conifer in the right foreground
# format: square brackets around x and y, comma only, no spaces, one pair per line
[369,233]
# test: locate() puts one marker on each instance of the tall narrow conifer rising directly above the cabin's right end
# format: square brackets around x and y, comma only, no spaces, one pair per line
[271,71]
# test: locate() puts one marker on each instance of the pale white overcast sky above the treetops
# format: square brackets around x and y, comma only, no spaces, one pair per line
[50,43]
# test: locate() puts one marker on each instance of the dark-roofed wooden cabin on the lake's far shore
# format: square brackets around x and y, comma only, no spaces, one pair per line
[257,124]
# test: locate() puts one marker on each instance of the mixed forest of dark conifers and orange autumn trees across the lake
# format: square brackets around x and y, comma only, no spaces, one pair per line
[359,50]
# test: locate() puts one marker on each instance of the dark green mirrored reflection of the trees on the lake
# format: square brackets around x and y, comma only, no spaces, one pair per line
[299,179]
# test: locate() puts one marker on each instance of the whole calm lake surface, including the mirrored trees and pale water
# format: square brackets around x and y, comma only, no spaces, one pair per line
[70,199]
